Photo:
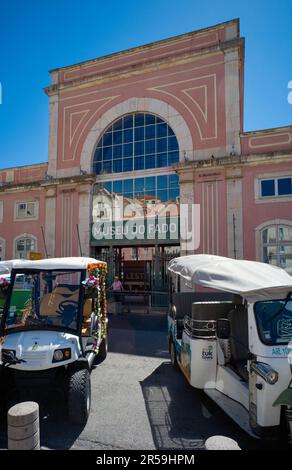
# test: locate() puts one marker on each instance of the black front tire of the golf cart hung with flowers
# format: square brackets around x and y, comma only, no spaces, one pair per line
[79,399]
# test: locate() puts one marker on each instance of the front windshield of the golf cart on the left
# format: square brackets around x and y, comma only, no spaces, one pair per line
[44,299]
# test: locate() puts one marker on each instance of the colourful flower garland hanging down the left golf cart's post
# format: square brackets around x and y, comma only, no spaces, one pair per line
[95,286]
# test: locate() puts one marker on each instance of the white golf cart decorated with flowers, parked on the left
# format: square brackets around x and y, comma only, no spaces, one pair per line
[52,335]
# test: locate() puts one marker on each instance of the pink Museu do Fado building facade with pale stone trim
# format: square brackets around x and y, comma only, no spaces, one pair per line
[164,119]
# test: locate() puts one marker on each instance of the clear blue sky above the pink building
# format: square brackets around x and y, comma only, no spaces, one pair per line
[39,35]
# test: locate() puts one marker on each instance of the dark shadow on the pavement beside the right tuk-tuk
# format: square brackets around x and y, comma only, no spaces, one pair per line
[182,417]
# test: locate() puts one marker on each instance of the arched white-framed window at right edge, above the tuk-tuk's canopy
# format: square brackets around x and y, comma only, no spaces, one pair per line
[276,241]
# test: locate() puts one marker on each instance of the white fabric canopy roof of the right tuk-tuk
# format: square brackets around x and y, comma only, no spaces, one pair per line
[251,279]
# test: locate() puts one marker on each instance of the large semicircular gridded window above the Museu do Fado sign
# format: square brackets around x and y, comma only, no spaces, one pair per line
[137,141]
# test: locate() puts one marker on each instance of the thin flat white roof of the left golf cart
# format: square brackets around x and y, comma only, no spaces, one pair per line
[55,263]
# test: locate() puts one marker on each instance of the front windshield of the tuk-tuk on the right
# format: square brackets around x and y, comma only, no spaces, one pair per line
[274,320]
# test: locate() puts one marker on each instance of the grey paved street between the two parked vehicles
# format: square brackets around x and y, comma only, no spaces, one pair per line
[139,401]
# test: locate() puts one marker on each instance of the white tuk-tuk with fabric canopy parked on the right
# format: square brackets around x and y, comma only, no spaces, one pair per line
[234,339]
